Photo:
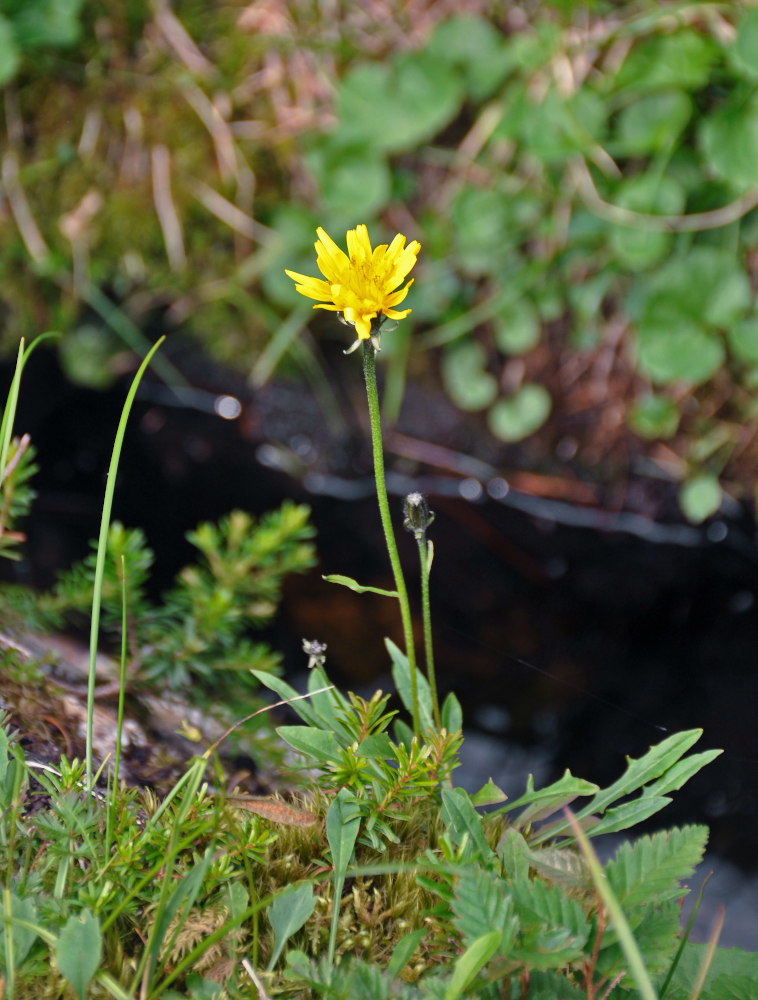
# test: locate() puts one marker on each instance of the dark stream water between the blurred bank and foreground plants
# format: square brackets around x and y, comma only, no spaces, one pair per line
[572,636]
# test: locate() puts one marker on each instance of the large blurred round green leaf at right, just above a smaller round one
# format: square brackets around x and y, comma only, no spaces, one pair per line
[681,351]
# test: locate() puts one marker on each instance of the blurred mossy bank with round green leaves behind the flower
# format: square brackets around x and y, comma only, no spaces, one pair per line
[583,179]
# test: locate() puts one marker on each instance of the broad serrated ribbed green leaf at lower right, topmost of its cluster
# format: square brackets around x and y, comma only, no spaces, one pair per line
[649,871]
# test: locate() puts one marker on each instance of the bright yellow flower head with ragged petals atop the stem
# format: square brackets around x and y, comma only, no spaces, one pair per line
[363,285]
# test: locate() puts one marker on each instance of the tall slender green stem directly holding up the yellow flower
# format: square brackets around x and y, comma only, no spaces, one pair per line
[369,371]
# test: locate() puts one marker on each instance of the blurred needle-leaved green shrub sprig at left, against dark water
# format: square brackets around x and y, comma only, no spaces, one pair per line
[195,637]
